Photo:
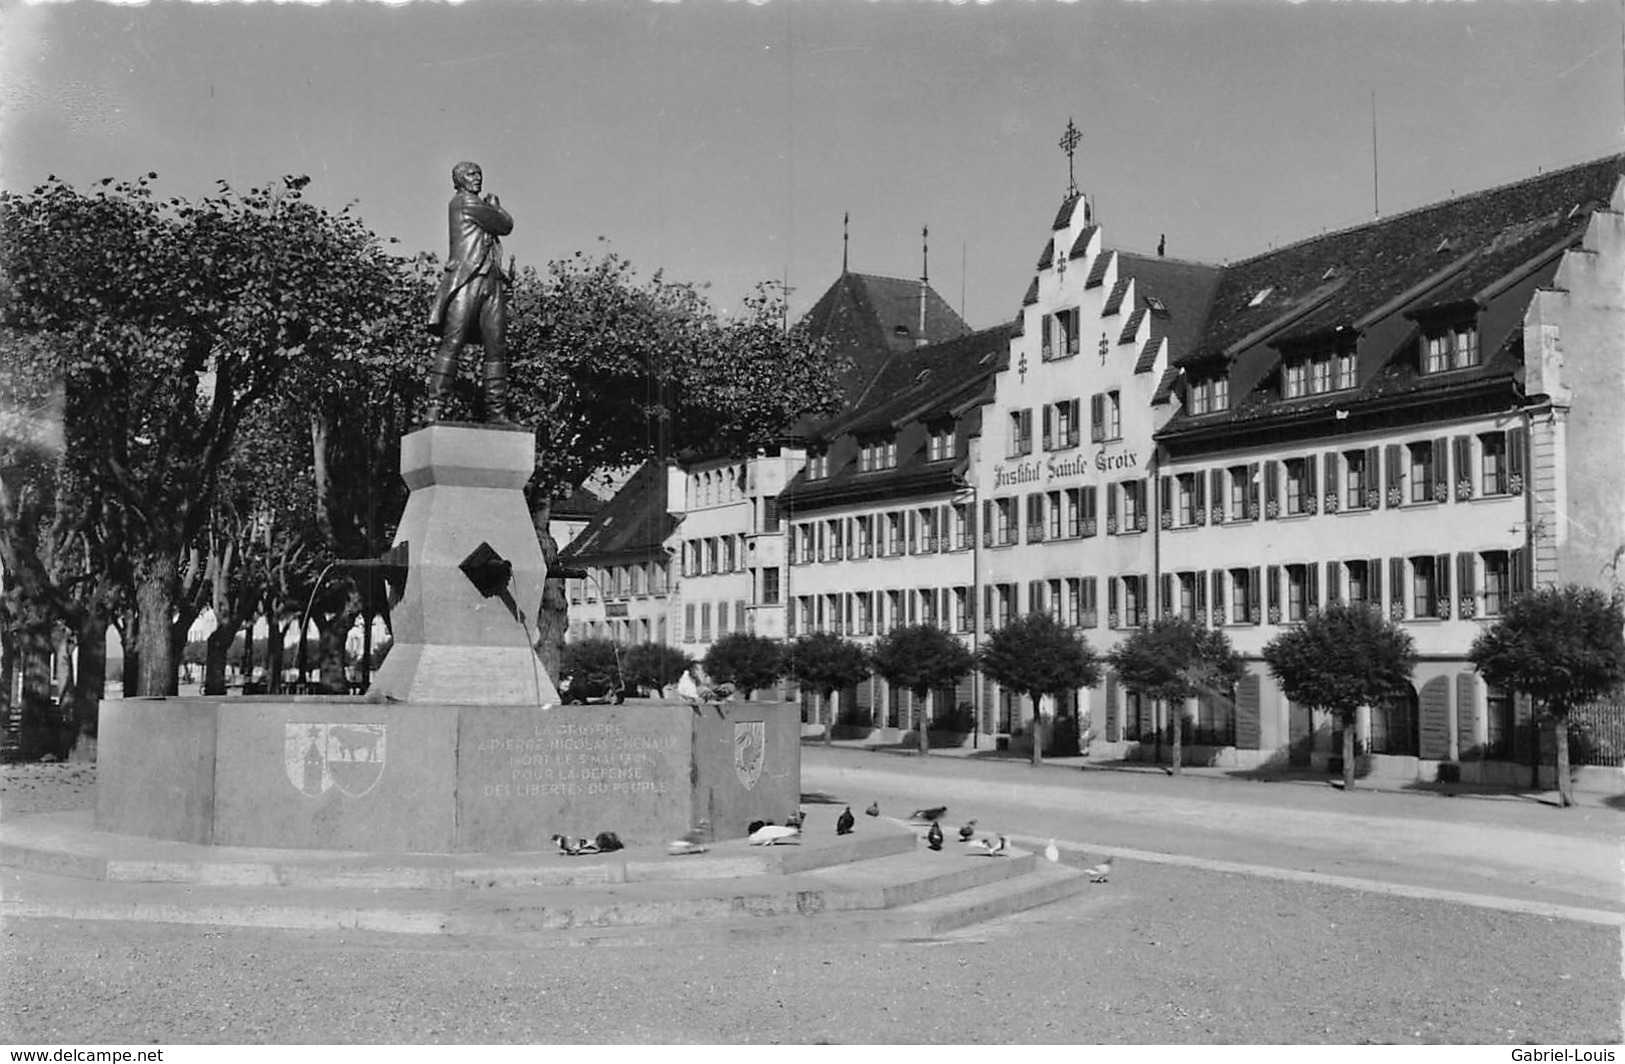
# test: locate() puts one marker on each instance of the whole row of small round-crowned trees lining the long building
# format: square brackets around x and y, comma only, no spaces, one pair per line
[1562,647]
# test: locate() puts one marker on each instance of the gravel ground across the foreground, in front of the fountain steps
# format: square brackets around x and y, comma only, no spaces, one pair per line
[1158,956]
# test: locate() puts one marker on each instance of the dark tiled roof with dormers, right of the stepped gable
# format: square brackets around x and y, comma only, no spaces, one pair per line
[1380,280]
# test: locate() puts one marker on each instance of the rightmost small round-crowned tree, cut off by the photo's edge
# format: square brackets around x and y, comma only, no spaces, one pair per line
[1562,647]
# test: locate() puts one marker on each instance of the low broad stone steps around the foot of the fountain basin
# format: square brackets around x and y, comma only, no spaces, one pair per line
[877,883]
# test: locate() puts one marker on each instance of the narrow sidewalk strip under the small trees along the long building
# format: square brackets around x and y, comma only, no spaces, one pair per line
[1294,776]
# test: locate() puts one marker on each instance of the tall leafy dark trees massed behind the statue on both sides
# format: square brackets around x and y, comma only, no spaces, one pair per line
[202,405]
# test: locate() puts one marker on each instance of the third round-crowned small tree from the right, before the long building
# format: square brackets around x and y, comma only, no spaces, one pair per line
[1174,660]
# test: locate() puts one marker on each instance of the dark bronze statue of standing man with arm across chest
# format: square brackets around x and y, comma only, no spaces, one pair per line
[472,300]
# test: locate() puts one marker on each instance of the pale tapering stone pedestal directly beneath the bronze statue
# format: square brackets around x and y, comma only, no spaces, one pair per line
[456,644]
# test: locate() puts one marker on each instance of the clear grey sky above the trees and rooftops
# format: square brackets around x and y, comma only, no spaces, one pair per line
[724,141]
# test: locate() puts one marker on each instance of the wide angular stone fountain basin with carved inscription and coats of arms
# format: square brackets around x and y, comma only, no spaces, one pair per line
[352,774]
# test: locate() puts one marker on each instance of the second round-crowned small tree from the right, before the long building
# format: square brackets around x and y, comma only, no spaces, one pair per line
[1341,659]
